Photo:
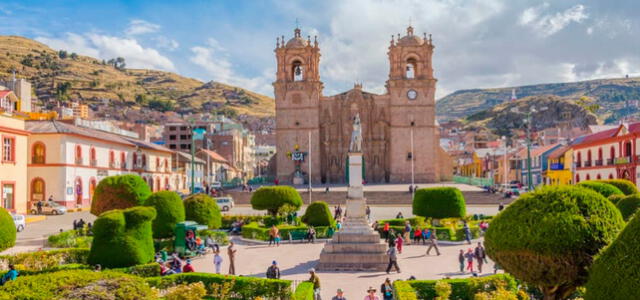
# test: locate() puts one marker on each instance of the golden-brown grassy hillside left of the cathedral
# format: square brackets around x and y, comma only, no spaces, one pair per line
[69,77]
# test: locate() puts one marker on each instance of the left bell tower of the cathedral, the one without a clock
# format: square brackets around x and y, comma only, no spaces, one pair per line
[297,95]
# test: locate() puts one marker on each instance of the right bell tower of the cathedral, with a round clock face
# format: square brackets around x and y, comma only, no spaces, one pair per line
[411,88]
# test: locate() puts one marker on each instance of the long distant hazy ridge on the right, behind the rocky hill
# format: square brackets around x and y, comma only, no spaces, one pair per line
[610,94]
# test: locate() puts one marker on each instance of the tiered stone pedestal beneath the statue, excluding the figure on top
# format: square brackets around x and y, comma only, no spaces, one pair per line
[356,247]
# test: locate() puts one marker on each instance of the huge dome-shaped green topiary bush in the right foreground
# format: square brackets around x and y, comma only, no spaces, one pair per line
[549,237]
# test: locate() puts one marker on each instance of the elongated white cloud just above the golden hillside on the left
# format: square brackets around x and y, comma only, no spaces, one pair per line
[107,47]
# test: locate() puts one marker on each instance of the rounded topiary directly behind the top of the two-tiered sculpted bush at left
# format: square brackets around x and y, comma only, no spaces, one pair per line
[119,192]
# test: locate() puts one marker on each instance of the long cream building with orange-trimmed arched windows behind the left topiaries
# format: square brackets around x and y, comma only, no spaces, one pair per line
[67,161]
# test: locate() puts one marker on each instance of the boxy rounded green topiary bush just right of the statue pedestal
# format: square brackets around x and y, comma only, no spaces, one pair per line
[439,202]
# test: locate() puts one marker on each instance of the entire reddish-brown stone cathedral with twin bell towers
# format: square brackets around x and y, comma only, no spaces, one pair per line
[400,140]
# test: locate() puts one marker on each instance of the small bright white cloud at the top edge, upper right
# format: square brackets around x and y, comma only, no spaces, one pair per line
[546,25]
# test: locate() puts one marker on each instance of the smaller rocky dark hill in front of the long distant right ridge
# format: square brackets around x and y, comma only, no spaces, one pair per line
[551,112]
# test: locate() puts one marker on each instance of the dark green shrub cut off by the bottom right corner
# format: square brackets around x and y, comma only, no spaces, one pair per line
[614,274]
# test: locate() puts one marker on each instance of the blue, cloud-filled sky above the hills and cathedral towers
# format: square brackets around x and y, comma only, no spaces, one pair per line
[478,43]
